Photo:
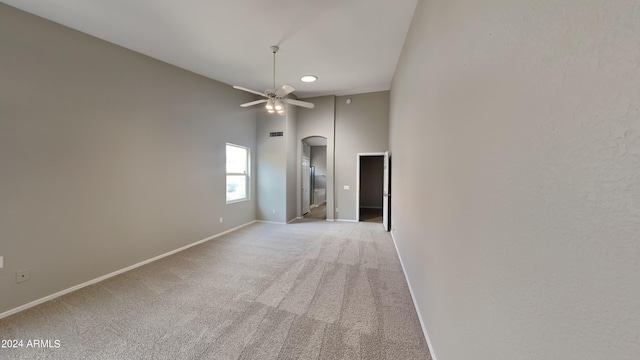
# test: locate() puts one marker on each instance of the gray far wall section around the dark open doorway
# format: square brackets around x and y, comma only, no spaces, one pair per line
[361,127]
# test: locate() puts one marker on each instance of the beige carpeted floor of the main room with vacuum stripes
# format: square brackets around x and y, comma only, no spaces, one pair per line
[307,290]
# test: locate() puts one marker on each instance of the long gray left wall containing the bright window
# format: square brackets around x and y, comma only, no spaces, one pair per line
[108,157]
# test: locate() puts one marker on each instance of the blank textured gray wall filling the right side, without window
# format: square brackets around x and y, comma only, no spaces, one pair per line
[515,136]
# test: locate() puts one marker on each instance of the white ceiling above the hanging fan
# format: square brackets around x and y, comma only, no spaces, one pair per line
[351,45]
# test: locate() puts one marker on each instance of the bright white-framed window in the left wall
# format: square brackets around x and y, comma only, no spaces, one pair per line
[237,173]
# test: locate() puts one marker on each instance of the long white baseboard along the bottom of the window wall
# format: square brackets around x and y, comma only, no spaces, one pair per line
[117,272]
